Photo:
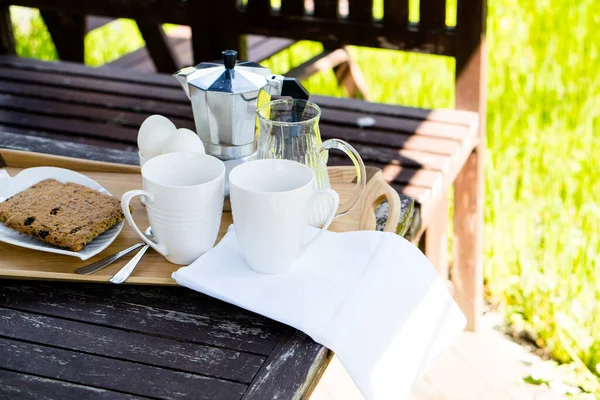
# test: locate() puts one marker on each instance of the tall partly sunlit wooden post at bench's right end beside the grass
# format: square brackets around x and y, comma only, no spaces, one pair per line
[471,62]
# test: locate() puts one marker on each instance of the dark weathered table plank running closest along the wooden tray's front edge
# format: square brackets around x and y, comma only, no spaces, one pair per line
[202,329]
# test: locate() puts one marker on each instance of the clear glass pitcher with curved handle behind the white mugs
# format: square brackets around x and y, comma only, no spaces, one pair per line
[289,129]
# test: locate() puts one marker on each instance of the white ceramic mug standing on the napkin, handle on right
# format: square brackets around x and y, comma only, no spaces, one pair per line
[271,201]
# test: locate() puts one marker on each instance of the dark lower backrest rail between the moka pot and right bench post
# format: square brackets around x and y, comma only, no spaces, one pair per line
[353,22]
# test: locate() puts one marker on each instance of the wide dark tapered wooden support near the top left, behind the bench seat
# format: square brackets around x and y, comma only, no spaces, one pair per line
[67,31]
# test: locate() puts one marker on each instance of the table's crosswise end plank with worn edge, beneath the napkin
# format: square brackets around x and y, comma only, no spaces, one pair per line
[290,370]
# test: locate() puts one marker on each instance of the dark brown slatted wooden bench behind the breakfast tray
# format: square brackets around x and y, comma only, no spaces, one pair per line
[423,152]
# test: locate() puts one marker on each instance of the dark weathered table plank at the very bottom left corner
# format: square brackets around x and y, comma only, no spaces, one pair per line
[15,385]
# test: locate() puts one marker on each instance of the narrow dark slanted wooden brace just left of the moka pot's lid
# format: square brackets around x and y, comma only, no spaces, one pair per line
[158,46]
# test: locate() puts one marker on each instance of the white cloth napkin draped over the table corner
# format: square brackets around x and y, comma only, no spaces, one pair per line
[371,297]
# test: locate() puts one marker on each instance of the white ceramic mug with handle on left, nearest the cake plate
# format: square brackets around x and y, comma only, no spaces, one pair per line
[184,202]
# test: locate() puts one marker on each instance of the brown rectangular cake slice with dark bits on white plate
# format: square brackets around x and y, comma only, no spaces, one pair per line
[64,214]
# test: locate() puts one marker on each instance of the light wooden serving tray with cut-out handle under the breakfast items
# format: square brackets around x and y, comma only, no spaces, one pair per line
[19,263]
